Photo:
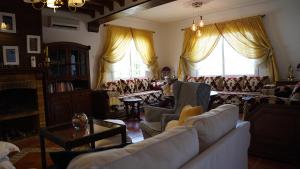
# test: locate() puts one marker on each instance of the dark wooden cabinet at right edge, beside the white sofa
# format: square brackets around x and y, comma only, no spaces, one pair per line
[275,132]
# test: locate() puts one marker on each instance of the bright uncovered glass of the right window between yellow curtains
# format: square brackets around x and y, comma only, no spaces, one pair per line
[225,61]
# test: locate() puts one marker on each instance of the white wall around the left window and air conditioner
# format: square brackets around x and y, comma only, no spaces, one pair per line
[96,40]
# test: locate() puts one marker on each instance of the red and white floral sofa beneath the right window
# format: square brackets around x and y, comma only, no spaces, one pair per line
[232,90]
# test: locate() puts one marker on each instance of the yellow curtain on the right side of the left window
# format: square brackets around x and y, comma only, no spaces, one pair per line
[143,41]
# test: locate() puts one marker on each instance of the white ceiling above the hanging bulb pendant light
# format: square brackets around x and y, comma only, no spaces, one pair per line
[182,9]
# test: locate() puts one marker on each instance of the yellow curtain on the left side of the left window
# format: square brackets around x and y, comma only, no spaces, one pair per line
[115,47]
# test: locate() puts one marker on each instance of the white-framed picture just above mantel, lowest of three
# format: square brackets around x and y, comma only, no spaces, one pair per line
[10,55]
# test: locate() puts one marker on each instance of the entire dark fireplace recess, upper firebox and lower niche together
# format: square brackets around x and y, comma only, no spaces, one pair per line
[19,115]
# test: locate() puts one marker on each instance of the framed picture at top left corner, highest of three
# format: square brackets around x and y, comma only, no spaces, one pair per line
[7,22]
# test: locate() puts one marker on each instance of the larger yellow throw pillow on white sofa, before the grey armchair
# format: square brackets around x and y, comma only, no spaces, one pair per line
[188,111]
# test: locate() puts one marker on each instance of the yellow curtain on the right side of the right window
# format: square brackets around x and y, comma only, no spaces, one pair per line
[248,37]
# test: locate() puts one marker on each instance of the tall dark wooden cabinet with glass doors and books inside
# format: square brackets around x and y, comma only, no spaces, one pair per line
[67,82]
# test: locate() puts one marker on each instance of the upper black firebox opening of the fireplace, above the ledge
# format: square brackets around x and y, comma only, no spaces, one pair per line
[18,100]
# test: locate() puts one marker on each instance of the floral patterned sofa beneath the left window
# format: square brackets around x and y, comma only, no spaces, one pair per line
[146,89]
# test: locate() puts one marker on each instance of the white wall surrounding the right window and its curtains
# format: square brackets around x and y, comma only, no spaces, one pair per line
[282,22]
